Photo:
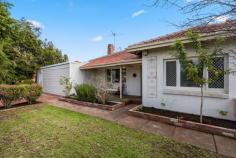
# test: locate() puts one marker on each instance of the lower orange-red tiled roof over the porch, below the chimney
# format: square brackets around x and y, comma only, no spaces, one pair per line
[119,58]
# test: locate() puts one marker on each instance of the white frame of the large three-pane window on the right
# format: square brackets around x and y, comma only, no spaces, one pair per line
[205,73]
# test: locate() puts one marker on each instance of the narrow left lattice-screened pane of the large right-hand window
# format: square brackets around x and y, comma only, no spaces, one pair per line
[171,73]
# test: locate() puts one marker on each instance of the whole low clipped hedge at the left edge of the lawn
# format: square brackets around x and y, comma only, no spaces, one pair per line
[12,93]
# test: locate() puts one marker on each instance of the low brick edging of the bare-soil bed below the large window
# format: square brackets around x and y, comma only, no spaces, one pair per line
[185,124]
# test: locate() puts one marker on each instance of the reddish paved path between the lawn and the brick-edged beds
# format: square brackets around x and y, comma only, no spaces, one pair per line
[222,145]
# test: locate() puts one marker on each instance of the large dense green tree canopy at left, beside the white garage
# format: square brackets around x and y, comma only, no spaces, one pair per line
[22,52]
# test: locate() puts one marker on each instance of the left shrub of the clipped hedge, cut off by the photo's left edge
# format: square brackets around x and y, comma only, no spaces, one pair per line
[10,93]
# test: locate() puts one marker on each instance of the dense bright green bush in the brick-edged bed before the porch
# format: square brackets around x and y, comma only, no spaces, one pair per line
[85,92]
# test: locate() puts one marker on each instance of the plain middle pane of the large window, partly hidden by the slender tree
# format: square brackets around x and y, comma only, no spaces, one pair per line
[184,80]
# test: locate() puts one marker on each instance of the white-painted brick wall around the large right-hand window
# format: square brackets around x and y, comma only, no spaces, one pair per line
[187,100]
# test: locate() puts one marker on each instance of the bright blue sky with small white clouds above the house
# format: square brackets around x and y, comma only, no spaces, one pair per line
[82,28]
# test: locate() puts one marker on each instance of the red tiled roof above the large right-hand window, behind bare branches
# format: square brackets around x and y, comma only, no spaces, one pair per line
[211,29]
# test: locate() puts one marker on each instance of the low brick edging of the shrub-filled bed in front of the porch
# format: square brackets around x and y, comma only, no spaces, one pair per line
[94,105]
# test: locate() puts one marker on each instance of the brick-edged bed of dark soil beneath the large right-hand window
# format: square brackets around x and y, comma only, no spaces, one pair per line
[210,125]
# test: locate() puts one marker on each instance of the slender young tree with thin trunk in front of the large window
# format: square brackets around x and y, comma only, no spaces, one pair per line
[195,71]
